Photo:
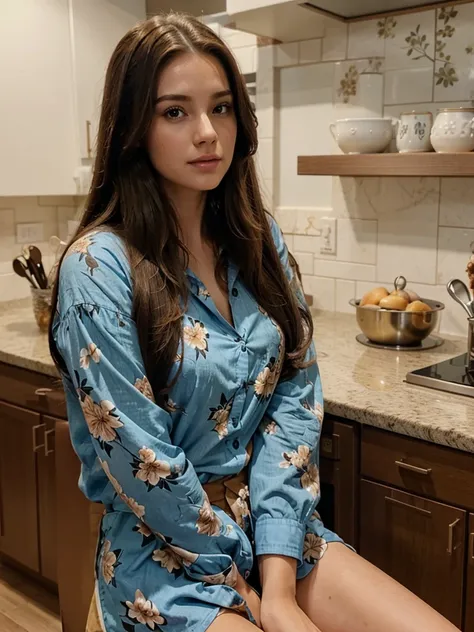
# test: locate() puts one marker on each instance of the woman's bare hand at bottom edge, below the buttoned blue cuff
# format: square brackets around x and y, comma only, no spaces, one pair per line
[282,615]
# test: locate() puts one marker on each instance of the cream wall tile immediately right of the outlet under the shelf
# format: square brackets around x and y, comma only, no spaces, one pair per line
[357,240]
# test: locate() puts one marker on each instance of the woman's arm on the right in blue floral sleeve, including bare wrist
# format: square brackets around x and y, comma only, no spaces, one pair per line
[284,475]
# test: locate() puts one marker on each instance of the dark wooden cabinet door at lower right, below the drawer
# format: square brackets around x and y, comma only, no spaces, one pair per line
[420,543]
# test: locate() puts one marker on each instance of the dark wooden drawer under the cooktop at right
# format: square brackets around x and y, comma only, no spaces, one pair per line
[417,466]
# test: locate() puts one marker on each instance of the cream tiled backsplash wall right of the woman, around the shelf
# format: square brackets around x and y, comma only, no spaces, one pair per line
[419,227]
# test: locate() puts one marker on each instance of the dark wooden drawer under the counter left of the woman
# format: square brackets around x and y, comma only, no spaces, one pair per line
[35,391]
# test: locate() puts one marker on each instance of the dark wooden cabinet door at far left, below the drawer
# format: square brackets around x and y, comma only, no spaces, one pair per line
[19,430]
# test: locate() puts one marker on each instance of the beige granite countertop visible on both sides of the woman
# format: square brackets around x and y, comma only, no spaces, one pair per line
[360,383]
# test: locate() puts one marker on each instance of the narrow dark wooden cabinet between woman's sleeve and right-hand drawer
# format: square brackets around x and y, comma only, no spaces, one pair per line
[339,472]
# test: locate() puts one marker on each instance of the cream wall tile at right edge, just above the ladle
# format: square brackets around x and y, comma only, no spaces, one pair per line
[454,250]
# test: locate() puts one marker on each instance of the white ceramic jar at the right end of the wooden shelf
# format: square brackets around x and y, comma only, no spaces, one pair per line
[453,130]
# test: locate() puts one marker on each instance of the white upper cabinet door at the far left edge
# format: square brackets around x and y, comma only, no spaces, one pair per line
[38,152]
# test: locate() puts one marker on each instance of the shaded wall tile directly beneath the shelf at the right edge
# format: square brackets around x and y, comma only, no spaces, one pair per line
[457,202]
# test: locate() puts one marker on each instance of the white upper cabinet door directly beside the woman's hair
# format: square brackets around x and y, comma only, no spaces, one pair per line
[98,25]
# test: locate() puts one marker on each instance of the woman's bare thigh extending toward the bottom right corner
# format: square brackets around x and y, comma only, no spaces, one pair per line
[345,592]
